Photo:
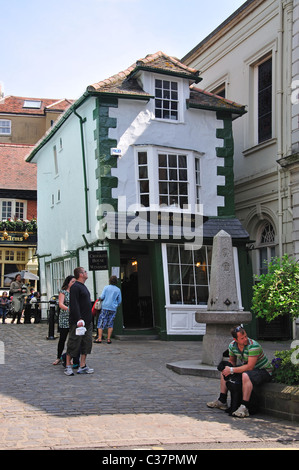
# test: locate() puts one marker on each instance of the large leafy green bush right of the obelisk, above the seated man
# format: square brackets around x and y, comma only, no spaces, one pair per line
[277,292]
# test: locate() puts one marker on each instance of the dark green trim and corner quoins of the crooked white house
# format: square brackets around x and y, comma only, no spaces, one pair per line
[106,182]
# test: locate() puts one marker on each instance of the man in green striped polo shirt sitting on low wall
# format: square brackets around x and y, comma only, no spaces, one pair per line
[247,358]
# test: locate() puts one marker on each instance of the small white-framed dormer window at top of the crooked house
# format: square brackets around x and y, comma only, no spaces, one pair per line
[166,100]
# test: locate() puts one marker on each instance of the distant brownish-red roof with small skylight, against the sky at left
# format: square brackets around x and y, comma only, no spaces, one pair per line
[15,105]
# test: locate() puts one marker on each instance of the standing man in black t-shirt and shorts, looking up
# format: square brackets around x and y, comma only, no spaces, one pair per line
[80,316]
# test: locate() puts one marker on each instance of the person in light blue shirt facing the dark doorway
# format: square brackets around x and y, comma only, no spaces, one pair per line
[111,298]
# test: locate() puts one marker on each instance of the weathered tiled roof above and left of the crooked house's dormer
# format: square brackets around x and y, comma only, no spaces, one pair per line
[125,82]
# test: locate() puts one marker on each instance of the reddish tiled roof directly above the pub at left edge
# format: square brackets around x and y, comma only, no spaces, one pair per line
[16,173]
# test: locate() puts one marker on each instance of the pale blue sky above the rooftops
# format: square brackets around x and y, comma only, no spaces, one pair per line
[55,49]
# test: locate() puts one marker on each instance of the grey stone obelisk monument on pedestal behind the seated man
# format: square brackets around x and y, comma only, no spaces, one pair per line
[223,311]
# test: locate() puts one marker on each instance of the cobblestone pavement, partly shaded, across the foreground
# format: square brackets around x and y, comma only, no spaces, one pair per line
[132,399]
